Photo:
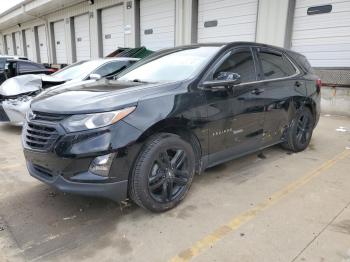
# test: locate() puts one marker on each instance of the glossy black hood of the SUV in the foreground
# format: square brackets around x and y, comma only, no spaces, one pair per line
[100,96]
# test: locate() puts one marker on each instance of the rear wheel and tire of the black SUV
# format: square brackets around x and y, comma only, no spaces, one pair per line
[299,133]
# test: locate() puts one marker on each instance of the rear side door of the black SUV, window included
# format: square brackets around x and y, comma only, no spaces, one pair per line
[282,86]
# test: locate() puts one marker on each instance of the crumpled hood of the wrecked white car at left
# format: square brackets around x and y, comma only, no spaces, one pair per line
[24,84]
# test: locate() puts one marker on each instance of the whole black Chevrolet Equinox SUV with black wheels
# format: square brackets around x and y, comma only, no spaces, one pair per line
[169,116]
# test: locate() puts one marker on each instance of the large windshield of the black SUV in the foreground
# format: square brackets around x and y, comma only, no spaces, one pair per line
[176,66]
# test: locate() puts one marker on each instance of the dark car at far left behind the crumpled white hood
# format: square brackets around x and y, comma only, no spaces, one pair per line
[14,67]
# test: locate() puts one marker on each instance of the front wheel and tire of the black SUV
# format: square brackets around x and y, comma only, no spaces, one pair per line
[163,173]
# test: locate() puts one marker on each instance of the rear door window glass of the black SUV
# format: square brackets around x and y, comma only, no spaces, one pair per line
[275,65]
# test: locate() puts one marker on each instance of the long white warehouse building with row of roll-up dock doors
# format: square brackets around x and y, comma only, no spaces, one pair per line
[65,31]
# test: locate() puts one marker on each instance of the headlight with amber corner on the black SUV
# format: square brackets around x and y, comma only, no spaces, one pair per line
[91,121]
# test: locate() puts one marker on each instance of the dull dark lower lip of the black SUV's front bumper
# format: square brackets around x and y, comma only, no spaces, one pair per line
[116,191]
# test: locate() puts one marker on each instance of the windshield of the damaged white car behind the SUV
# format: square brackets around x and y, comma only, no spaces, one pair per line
[79,70]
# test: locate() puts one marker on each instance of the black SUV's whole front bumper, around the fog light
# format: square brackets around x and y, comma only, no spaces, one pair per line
[65,161]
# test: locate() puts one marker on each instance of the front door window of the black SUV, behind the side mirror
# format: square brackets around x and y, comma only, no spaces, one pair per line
[240,62]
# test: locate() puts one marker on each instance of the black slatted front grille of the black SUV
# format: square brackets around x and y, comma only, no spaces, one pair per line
[39,136]
